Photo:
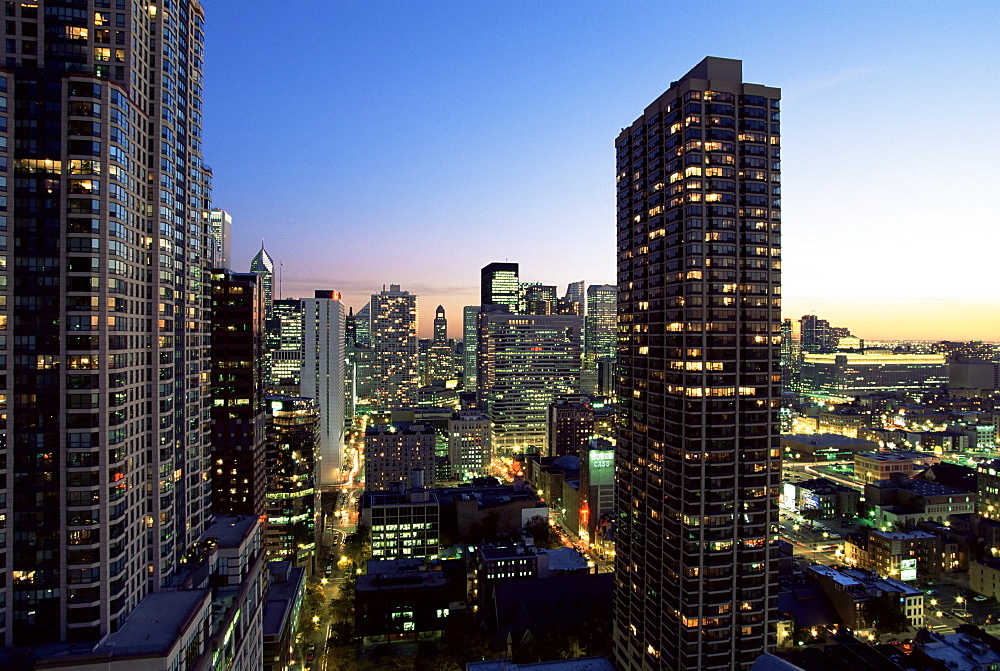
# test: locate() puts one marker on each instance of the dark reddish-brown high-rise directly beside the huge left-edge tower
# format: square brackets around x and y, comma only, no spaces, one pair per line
[237,388]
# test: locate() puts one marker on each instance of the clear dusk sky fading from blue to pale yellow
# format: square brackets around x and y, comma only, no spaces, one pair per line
[368,143]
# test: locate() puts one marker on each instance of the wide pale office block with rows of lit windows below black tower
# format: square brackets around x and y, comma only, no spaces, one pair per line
[525,361]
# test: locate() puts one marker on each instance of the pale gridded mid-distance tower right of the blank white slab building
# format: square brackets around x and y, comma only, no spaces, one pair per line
[394,348]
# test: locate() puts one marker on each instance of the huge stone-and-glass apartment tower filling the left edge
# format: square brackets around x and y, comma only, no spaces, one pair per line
[106,334]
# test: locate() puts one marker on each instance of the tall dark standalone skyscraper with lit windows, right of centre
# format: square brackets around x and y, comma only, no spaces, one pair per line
[698,461]
